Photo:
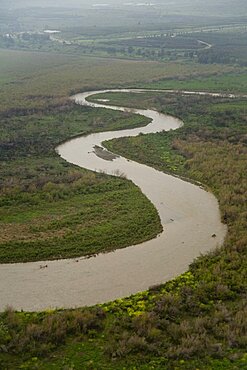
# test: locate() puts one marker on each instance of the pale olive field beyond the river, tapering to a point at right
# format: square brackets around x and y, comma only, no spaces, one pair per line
[33,80]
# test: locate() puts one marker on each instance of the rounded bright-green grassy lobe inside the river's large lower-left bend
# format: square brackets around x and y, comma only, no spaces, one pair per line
[75,213]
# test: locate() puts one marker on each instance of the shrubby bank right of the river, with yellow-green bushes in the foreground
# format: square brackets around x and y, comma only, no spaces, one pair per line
[196,321]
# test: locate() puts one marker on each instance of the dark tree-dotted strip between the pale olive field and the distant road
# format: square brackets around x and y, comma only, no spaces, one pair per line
[183,45]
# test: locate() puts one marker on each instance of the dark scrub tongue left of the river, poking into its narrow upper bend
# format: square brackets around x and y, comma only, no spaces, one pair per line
[25,133]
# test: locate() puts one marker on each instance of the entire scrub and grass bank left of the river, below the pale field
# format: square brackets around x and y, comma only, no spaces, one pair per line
[50,209]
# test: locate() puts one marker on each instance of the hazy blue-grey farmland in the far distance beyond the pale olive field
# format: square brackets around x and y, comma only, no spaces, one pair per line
[164,32]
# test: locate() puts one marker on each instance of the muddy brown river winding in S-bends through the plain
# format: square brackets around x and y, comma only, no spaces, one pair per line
[189,215]
